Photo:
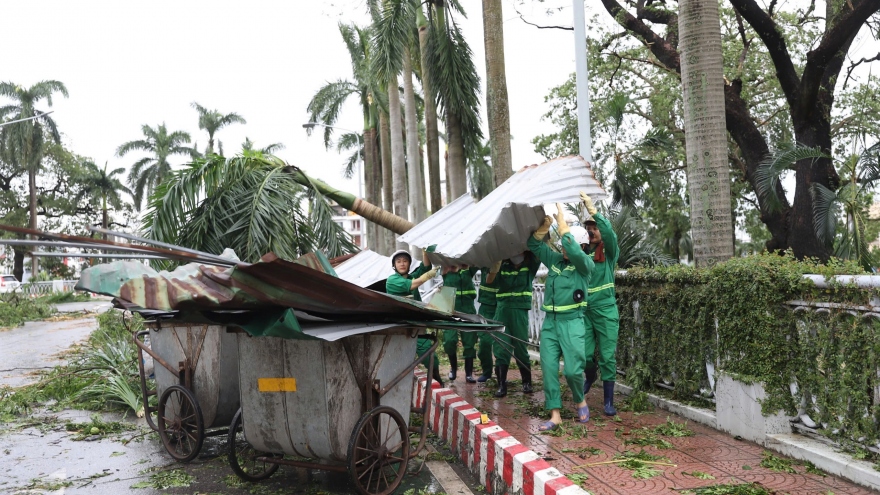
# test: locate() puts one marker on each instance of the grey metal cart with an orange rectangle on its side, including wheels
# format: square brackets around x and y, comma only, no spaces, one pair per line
[341,406]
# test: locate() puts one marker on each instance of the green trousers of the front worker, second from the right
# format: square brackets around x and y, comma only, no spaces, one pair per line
[566,338]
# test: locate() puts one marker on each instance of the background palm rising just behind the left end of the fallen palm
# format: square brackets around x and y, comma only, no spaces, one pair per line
[150,171]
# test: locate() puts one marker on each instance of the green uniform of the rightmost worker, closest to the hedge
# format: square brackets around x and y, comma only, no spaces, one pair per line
[602,318]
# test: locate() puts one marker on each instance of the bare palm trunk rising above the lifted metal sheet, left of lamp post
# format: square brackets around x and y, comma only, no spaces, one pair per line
[497,108]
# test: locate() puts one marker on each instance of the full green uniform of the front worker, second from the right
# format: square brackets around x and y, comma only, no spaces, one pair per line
[564,333]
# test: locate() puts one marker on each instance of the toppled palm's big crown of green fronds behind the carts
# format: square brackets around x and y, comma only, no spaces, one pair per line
[251,203]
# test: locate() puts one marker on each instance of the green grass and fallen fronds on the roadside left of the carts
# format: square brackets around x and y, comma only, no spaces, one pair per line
[100,375]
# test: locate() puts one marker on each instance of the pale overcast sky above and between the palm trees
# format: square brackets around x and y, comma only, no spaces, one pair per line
[126,64]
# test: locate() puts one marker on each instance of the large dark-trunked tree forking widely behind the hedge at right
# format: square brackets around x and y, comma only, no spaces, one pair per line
[807,82]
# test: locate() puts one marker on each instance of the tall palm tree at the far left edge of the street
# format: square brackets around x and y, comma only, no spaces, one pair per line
[22,142]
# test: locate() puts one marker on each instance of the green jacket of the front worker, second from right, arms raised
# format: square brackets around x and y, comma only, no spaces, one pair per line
[566,280]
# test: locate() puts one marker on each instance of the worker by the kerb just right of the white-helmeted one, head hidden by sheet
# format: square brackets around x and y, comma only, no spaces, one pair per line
[462,279]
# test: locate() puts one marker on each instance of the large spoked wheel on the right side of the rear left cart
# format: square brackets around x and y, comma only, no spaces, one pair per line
[180,423]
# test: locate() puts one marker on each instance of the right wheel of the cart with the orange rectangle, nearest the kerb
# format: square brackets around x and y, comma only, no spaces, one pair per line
[378,451]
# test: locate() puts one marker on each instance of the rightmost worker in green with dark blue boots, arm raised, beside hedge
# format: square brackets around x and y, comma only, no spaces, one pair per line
[602,318]
